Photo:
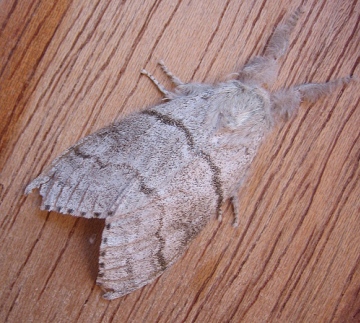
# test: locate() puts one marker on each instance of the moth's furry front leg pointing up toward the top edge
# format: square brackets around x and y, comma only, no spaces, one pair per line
[264,69]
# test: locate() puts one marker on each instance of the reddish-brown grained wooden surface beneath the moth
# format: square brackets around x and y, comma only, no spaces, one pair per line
[73,66]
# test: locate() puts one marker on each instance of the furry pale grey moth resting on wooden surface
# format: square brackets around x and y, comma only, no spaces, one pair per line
[157,177]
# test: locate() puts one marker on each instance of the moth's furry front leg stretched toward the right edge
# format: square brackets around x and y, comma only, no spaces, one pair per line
[285,101]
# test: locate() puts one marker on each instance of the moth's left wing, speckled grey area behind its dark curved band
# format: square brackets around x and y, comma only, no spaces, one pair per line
[114,170]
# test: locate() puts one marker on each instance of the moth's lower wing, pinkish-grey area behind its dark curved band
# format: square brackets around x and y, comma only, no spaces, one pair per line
[136,248]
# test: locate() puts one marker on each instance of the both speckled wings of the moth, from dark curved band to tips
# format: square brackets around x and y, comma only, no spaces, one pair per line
[153,186]
